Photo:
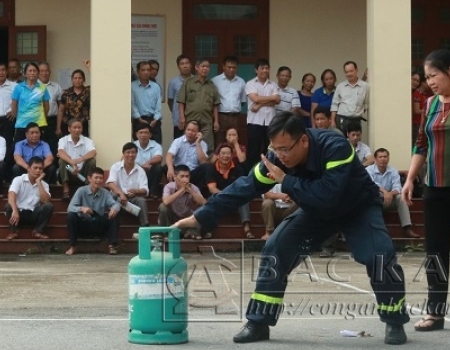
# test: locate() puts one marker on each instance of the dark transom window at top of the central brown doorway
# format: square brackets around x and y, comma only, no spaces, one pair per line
[225,12]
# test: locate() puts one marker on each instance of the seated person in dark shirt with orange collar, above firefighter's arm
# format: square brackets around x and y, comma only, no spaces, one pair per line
[223,173]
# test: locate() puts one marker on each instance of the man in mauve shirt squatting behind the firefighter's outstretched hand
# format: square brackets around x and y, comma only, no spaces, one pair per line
[180,198]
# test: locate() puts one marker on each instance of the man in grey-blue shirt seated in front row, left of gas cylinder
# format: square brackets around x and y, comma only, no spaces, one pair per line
[93,211]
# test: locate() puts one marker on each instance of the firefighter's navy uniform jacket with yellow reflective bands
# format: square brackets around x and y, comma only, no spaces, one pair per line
[331,185]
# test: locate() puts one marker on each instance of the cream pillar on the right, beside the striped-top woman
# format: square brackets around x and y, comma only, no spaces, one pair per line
[389,62]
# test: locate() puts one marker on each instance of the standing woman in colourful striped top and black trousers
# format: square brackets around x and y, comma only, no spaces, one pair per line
[430,147]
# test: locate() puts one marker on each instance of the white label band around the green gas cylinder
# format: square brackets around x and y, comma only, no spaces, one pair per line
[155,286]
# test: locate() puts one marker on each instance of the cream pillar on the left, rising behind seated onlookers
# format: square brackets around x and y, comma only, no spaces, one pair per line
[110,125]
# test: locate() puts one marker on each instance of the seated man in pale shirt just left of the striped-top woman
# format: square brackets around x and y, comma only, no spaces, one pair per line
[388,180]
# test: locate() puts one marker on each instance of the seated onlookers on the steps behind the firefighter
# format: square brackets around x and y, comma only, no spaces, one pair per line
[94,208]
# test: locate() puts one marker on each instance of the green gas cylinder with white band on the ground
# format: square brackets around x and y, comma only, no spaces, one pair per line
[157,297]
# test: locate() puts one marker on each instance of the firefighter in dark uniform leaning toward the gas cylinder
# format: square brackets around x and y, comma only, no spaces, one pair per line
[318,169]
